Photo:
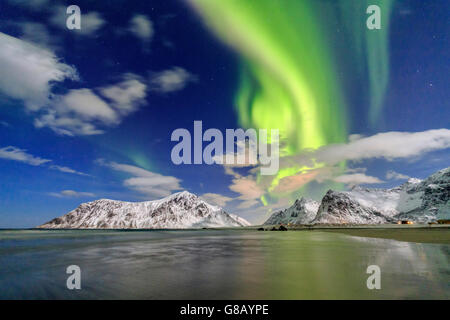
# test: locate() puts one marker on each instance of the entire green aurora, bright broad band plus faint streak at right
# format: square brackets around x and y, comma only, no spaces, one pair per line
[289,75]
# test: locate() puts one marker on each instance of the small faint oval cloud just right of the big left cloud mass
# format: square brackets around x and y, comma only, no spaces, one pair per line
[171,80]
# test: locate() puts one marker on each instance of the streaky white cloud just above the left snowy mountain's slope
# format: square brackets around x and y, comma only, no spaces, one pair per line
[146,182]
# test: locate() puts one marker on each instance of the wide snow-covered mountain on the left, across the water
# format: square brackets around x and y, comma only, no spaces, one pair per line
[179,211]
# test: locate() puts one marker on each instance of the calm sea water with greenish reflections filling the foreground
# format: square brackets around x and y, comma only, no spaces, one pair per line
[210,264]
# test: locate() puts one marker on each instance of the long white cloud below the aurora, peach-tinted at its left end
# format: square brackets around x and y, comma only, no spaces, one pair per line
[390,146]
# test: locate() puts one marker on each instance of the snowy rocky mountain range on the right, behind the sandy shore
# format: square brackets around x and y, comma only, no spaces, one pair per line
[415,200]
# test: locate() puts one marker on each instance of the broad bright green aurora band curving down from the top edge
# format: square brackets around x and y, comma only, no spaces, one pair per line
[280,72]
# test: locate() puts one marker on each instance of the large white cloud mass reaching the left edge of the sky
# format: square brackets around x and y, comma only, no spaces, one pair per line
[28,73]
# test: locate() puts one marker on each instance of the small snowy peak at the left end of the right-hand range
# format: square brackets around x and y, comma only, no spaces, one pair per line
[303,211]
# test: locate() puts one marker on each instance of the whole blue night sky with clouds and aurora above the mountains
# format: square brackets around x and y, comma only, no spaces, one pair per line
[88,114]
